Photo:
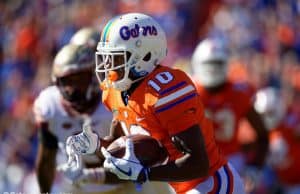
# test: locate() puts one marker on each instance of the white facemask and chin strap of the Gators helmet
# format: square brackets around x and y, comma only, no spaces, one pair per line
[119,69]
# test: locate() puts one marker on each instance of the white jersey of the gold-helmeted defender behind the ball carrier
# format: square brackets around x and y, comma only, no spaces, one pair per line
[48,108]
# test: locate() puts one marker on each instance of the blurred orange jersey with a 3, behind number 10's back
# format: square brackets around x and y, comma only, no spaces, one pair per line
[226,108]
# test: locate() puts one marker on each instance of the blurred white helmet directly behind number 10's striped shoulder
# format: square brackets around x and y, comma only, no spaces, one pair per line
[209,62]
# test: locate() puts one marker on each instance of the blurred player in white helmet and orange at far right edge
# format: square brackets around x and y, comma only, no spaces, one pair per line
[283,123]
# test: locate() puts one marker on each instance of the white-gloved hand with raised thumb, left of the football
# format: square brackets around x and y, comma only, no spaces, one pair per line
[85,142]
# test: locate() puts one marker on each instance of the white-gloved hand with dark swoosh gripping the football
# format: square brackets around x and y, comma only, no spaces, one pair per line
[128,167]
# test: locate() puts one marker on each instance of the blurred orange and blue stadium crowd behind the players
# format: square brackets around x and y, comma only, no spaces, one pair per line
[263,38]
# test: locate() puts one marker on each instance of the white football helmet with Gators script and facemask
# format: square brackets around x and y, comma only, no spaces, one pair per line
[130,47]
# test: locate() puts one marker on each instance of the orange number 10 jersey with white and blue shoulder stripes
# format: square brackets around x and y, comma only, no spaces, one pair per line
[165,103]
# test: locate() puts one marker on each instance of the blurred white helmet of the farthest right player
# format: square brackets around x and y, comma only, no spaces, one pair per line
[270,104]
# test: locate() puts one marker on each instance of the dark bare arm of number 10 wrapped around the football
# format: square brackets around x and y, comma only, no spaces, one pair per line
[193,164]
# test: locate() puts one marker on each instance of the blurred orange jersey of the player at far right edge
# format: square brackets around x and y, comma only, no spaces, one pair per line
[285,143]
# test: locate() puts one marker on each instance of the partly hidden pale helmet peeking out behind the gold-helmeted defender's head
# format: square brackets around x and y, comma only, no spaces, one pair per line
[86,36]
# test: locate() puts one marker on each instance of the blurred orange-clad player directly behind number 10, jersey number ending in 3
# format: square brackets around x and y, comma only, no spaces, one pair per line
[227,103]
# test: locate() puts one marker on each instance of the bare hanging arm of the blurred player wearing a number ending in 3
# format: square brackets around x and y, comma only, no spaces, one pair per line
[262,140]
